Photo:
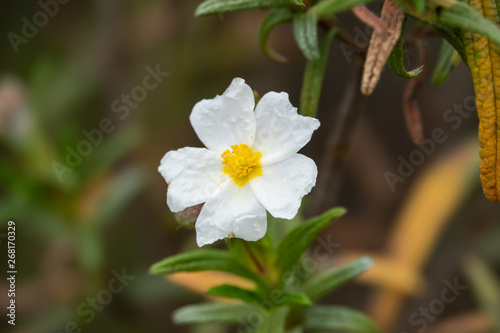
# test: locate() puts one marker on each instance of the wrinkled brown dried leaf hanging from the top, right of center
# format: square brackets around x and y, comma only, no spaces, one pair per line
[381,45]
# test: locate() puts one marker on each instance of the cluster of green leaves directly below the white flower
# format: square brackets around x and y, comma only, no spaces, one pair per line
[283,294]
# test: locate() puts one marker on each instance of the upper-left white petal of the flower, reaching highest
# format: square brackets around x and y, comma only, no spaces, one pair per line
[226,120]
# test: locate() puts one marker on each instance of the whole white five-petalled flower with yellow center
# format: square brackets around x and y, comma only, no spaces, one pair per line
[251,164]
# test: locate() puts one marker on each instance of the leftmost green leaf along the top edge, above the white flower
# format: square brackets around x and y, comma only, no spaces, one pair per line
[222,6]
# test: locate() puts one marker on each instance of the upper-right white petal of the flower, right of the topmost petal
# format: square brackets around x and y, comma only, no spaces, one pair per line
[281,131]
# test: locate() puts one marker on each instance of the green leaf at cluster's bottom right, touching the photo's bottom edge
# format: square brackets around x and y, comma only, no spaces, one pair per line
[338,318]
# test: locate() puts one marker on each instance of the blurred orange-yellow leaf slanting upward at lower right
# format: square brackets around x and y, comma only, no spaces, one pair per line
[430,205]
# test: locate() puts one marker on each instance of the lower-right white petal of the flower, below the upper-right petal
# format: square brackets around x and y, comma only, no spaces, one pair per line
[282,185]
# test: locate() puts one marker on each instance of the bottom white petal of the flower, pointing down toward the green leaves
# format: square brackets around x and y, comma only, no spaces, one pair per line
[235,212]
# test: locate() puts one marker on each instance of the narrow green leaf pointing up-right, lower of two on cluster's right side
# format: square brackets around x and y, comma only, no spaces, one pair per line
[330,280]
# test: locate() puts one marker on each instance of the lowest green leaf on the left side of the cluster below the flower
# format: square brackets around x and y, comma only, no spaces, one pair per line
[213,313]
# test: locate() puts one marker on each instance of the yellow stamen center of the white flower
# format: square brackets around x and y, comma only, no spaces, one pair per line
[242,164]
